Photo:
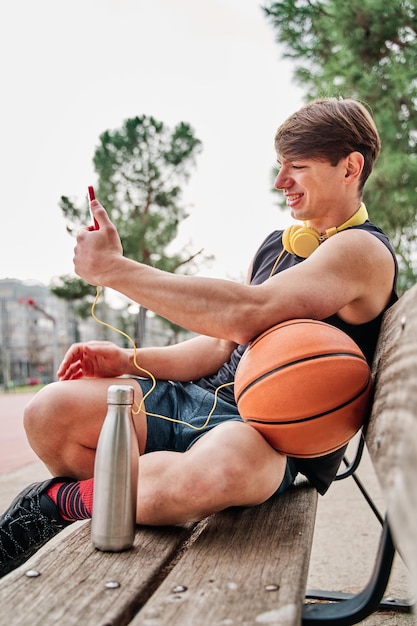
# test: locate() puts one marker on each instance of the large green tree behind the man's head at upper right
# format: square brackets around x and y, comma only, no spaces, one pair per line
[365,49]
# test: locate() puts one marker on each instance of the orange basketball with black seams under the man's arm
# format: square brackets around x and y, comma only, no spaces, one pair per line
[305,386]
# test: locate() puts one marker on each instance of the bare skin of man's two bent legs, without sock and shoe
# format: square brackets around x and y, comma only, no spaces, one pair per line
[230,465]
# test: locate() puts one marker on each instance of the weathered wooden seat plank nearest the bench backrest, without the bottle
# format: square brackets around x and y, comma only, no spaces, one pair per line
[227,576]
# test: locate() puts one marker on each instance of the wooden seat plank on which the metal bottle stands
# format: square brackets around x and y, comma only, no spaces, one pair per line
[71,588]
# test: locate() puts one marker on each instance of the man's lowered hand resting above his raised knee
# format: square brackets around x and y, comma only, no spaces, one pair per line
[95,359]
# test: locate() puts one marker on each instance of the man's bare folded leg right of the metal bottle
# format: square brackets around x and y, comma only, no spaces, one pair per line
[232,465]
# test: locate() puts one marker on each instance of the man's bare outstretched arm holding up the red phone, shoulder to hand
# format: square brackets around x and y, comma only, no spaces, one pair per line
[351,273]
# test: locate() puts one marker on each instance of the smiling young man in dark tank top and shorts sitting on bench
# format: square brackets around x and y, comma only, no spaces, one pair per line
[326,152]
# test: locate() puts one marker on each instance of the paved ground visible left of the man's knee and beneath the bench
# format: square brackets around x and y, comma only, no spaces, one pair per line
[347,532]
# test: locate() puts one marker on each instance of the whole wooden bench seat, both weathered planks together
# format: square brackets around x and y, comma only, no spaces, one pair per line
[241,563]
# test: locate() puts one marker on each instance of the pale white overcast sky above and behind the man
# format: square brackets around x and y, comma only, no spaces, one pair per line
[70,71]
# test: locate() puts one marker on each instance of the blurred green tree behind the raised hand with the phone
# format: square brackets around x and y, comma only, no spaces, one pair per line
[141,169]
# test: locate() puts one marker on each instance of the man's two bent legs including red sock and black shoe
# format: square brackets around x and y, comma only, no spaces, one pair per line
[230,465]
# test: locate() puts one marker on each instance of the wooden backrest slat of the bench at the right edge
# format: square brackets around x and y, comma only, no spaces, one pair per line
[392,432]
